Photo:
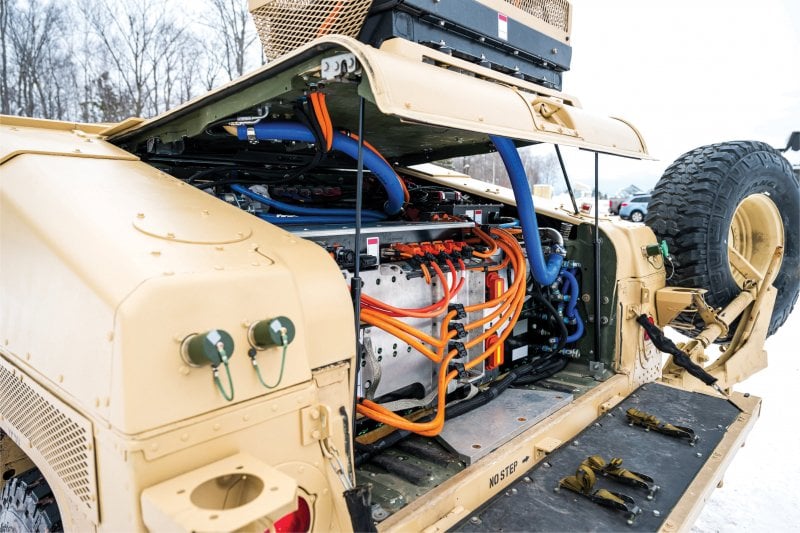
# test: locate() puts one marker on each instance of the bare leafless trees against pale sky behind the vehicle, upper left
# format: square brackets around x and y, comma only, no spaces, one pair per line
[105,60]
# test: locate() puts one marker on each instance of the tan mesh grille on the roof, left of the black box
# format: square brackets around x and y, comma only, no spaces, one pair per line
[283,25]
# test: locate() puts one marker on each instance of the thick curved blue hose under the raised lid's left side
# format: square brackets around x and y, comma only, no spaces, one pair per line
[294,131]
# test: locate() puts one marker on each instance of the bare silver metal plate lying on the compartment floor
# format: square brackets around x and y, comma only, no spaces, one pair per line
[483,430]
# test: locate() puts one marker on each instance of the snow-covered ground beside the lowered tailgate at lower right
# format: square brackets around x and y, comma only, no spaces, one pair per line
[759,491]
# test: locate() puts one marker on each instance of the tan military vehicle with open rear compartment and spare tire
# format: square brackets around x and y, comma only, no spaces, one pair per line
[179,344]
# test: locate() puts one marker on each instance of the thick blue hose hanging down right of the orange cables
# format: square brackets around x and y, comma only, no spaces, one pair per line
[545,273]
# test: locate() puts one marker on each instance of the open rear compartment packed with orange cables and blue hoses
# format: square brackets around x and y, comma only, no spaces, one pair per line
[453,320]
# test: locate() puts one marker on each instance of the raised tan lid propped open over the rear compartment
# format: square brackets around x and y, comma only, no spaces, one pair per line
[422,106]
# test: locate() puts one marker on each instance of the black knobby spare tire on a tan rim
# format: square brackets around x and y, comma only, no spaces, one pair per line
[724,203]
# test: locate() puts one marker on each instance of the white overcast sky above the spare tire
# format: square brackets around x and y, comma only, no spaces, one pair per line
[686,74]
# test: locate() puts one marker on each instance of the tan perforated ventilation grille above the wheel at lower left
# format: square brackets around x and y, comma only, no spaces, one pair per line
[62,439]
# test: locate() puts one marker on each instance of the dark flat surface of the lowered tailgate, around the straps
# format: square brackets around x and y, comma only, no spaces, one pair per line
[673,463]
